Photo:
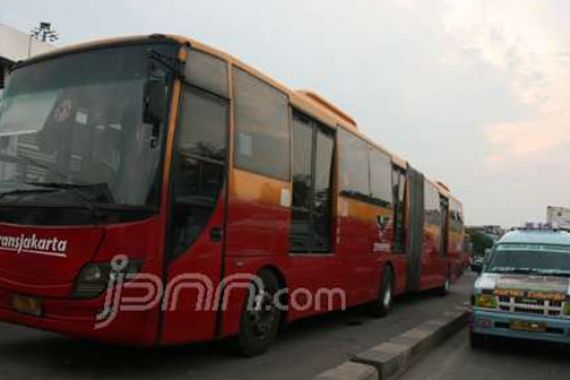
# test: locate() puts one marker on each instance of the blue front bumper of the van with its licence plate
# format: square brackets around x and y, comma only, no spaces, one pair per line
[514,325]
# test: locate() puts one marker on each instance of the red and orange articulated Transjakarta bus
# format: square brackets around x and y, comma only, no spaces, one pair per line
[194,168]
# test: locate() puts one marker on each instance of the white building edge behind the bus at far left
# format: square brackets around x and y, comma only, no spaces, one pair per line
[16,45]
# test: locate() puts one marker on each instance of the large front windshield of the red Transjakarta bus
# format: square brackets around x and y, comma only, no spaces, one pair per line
[76,121]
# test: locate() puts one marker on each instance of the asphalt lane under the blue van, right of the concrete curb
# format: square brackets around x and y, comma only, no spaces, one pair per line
[515,360]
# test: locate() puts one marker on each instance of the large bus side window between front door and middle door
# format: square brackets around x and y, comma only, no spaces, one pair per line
[262,127]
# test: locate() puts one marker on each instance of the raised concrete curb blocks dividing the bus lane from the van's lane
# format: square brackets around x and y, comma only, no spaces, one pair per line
[389,360]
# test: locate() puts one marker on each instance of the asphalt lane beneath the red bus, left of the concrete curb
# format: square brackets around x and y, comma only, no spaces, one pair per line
[303,350]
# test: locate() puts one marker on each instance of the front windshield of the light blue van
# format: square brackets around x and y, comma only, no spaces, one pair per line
[530,259]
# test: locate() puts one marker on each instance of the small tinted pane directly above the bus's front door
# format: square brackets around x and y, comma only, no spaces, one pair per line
[208,72]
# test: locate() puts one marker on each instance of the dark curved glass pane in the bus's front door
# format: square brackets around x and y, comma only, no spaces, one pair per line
[199,165]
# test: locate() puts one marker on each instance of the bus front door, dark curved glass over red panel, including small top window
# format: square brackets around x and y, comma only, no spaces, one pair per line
[195,255]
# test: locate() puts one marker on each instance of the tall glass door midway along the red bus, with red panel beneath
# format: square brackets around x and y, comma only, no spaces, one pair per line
[310,237]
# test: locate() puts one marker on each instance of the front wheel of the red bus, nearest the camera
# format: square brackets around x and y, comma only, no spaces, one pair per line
[260,317]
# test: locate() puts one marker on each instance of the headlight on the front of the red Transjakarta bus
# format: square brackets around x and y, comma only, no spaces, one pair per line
[94,278]
